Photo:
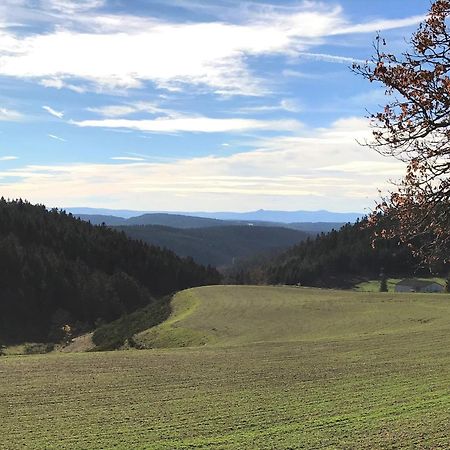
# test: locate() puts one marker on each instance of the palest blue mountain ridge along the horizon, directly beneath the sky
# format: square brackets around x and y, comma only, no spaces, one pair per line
[260,215]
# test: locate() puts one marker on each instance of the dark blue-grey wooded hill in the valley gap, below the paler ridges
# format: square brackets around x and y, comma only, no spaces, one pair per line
[217,245]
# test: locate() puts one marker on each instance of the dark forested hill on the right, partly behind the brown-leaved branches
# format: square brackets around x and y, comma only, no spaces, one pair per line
[335,259]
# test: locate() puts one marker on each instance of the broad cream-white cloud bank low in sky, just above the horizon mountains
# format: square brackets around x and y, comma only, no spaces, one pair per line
[292,172]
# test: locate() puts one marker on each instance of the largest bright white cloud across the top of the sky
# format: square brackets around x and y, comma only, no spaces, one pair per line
[134,50]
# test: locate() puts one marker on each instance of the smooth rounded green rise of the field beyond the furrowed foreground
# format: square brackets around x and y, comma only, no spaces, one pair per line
[241,315]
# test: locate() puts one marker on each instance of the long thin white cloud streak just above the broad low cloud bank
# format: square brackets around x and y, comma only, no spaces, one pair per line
[192,124]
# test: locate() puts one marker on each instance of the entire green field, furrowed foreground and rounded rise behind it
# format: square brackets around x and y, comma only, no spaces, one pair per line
[262,368]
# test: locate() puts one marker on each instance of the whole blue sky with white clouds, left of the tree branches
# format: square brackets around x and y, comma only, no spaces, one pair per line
[193,105]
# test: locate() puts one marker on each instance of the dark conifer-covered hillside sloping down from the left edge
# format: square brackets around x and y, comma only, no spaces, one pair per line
[57,270]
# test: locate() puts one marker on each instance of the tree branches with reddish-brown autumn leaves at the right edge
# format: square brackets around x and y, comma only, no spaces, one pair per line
[414,127]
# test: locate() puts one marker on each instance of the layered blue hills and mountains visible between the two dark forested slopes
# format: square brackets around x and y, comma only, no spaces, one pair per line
[221,240]
